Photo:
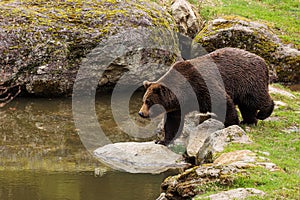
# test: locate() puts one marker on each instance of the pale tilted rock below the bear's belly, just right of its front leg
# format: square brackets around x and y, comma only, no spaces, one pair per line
[198,135]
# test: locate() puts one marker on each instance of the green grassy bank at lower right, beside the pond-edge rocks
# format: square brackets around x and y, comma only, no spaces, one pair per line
[284,149]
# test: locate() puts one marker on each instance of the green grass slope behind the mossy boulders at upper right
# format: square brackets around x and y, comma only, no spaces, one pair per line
[281,15]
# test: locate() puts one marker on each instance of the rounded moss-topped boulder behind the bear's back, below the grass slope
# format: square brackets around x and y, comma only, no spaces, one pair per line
[254,37]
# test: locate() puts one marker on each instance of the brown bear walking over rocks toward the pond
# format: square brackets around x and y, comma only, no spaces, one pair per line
[215,83]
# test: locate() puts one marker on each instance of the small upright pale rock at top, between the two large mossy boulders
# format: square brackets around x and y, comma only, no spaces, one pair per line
[186,17]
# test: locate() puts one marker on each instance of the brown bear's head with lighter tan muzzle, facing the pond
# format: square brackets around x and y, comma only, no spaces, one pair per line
[157,100]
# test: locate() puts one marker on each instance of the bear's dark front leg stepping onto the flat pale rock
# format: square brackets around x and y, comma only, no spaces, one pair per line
[173,125]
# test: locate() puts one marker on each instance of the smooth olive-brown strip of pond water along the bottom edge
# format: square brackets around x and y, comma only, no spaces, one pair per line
[77,186]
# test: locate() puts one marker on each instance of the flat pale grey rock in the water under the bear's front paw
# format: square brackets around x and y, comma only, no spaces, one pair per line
[139,157]
